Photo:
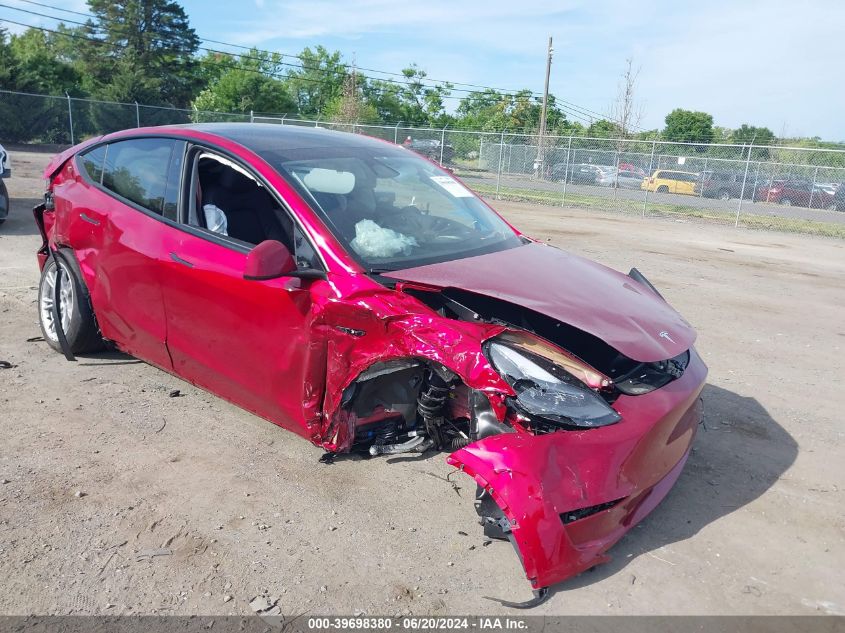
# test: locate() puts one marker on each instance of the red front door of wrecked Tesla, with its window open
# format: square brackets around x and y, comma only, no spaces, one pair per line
[251,342]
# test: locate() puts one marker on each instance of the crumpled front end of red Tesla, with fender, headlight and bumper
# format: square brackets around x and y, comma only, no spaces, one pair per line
[571,441]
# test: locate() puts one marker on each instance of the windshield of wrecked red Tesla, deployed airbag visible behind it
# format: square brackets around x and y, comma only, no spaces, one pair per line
[391,209]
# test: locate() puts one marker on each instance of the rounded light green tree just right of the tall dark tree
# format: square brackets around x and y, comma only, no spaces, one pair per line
[247,83]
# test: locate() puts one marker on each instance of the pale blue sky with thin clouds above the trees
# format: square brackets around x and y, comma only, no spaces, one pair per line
[768,63]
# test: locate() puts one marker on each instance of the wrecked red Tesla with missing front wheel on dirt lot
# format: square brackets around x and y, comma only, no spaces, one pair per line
[356,294]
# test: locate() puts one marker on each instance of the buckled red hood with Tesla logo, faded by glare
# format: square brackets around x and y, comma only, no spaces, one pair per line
[586,295]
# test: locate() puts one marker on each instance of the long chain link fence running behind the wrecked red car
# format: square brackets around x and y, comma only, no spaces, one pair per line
[784,188]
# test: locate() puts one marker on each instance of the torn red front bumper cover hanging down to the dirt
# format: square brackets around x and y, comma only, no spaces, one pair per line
[569,496]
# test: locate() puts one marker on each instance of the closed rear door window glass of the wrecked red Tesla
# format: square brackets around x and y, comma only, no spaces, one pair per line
[138,169]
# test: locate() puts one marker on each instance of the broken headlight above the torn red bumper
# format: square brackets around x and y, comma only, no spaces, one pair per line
[547,391]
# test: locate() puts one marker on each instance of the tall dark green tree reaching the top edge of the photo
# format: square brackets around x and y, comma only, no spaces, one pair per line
[140,50]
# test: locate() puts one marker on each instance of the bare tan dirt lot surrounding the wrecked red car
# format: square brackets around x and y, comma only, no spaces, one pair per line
[755,524]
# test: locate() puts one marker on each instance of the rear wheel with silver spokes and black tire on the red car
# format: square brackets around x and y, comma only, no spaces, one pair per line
[79,323]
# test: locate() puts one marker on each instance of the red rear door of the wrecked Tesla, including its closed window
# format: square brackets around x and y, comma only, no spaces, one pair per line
[124,213]
